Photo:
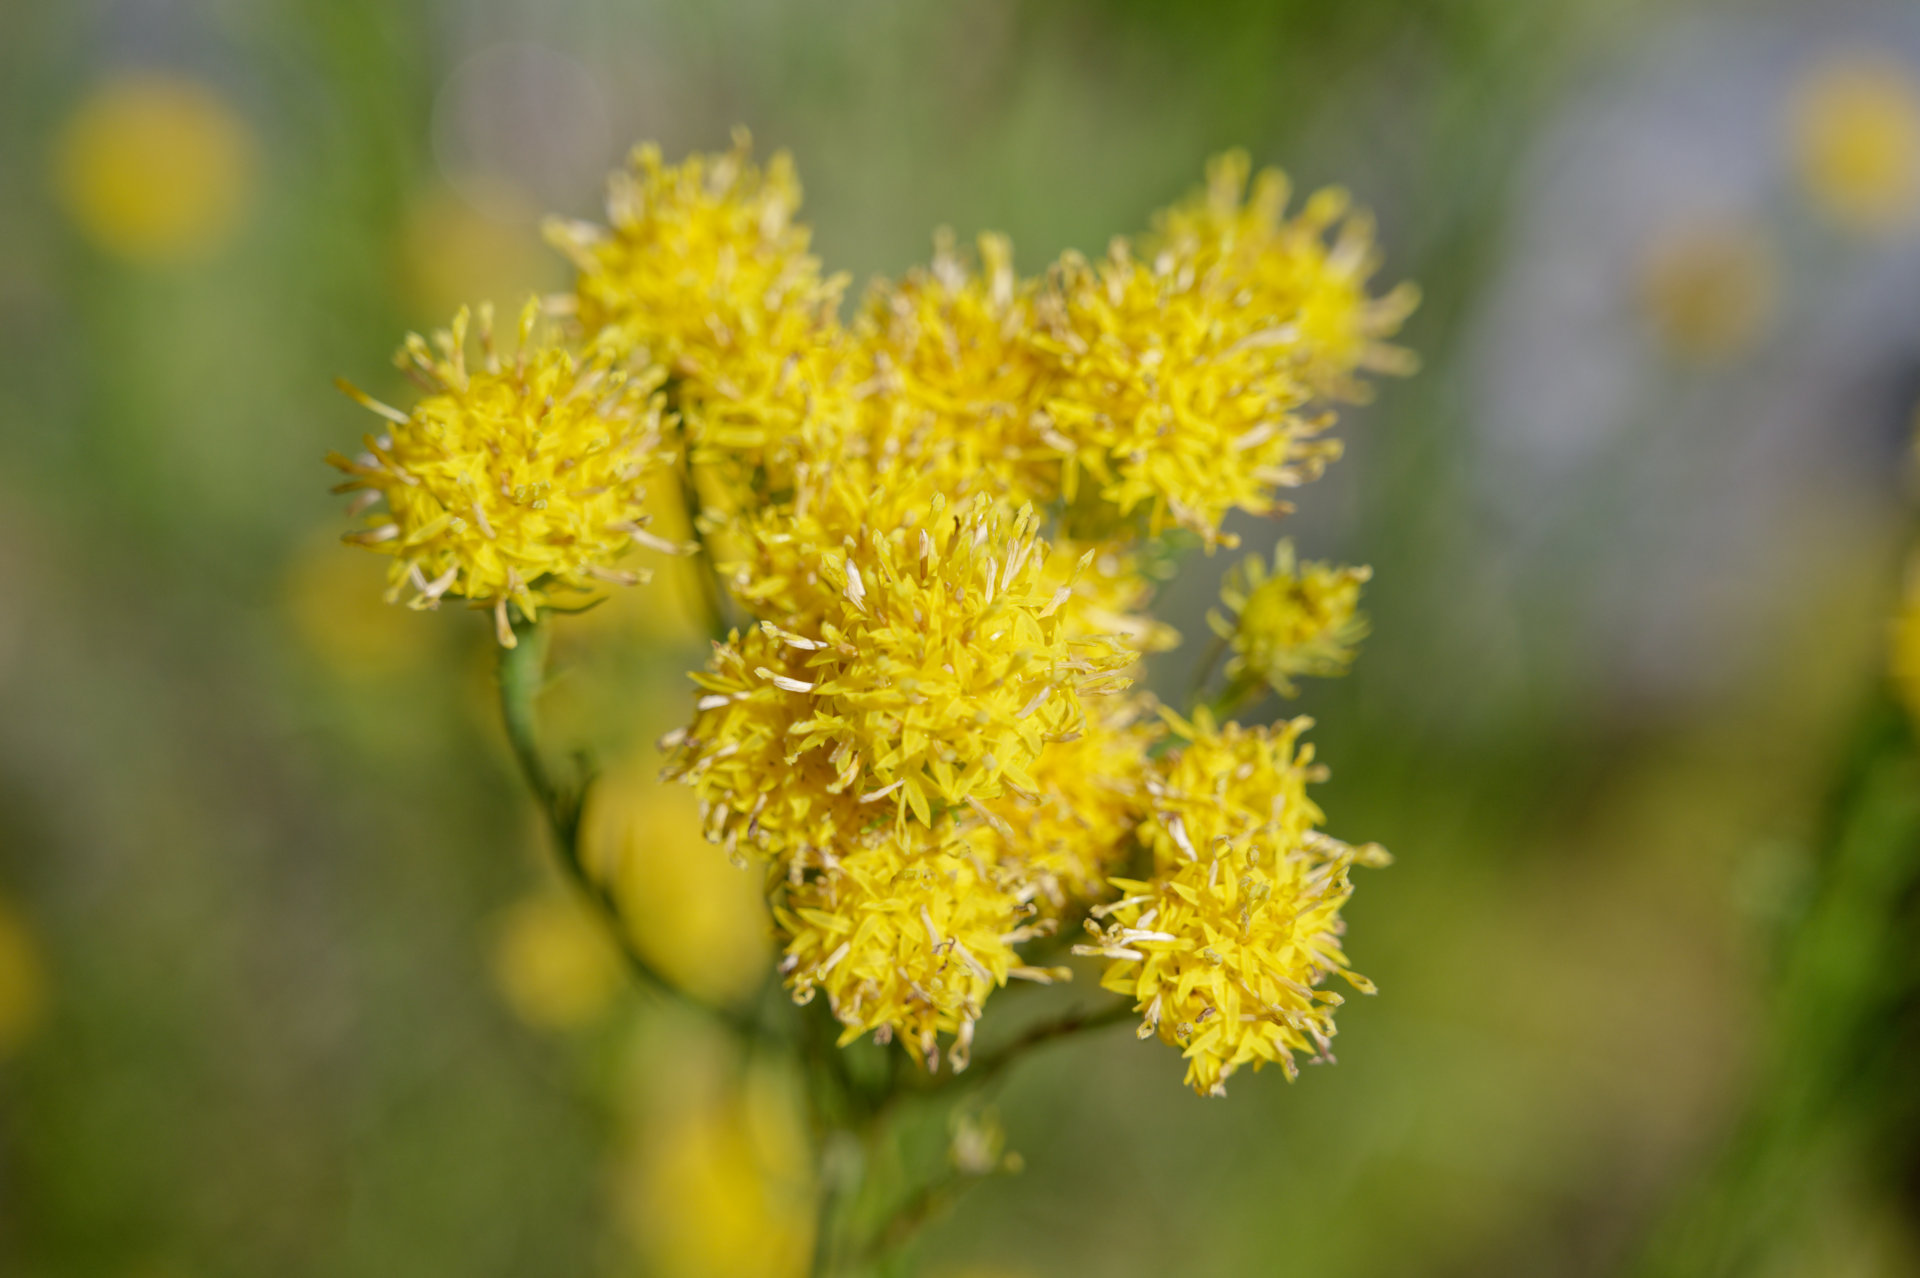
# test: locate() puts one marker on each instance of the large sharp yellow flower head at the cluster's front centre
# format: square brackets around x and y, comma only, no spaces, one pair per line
[932,671]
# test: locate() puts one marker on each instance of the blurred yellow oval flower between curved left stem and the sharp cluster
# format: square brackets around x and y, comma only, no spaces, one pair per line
[690,912]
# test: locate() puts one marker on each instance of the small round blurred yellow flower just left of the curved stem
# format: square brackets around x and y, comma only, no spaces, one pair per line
[554,962]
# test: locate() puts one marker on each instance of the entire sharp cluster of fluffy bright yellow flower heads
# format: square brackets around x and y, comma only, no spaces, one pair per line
[936,529]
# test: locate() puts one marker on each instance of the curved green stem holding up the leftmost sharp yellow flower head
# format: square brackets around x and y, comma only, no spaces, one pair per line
[523,673]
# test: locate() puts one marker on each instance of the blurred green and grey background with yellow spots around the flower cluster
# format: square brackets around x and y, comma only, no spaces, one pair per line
[285,985]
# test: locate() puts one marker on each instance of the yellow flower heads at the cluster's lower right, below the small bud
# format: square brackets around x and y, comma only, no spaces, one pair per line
[1224,947]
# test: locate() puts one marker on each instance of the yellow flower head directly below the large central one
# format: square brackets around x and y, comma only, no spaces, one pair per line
[907,935]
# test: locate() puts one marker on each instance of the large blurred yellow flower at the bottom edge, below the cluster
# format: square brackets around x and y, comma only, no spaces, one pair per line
[719,1181]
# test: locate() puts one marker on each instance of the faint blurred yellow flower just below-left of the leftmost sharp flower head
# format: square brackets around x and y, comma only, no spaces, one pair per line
[335,609]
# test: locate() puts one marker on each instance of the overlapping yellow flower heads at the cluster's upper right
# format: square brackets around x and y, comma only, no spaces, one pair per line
[1189,379]
